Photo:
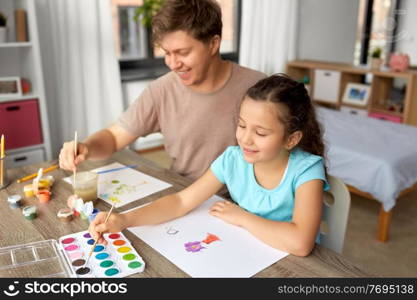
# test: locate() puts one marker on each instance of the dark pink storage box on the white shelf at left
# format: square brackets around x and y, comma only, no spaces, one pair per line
[20,123]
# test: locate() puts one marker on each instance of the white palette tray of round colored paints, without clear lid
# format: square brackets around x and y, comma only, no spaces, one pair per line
[116,259]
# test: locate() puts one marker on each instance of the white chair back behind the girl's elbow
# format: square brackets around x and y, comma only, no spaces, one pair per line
[335,215]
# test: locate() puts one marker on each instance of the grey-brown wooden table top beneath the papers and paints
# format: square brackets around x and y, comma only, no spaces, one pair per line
[15,229]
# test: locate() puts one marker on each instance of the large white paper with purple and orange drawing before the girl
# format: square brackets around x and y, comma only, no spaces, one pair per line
[236,254]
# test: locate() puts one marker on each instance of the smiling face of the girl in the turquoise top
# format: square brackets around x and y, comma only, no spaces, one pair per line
[260,133]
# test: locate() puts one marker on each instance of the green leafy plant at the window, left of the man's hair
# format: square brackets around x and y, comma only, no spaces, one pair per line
[144,13]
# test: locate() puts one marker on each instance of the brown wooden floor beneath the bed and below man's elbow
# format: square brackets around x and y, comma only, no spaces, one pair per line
[396,258]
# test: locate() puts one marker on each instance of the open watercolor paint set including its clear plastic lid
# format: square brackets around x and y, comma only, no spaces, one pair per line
[66,258]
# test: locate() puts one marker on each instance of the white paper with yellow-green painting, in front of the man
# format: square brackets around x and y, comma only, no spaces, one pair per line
[124,186]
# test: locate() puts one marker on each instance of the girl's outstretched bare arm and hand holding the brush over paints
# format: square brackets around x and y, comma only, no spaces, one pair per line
[161,210]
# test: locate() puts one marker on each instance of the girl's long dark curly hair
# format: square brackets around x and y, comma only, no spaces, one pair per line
[300,114]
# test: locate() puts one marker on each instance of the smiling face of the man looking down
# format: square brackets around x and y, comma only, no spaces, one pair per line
[188,57]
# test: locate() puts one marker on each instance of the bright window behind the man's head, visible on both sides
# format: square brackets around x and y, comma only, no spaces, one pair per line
[133,42]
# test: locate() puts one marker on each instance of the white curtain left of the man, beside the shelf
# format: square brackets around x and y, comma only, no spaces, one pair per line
[82,77]
